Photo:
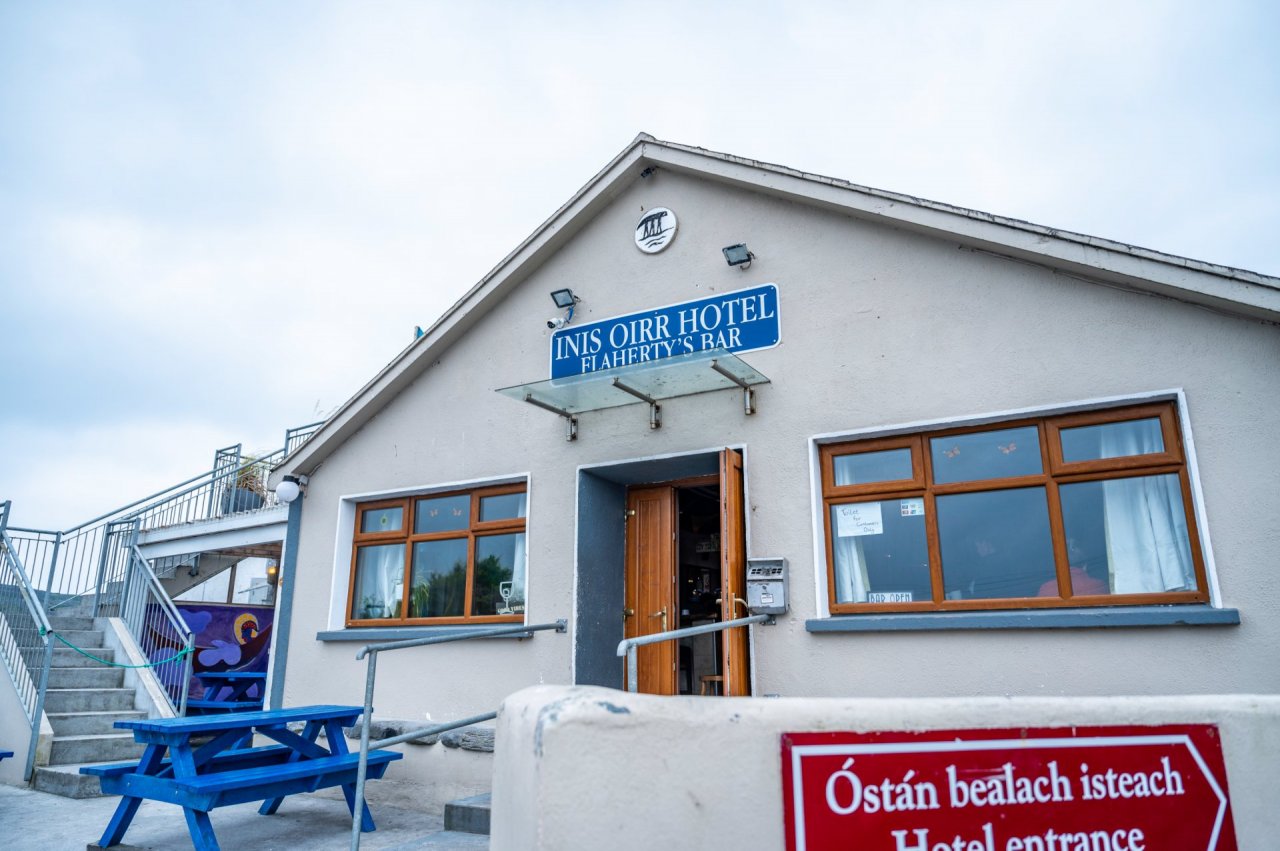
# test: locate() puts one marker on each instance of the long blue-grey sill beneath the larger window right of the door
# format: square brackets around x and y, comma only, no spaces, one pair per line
[1122,616]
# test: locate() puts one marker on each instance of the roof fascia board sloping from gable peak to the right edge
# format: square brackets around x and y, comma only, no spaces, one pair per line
[1229,290]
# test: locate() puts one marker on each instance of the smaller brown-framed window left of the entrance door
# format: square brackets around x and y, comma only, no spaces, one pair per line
[460,556]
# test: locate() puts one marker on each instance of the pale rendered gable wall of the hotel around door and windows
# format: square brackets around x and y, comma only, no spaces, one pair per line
[880,327]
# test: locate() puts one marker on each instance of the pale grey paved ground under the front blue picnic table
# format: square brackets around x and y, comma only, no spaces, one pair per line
[318,822]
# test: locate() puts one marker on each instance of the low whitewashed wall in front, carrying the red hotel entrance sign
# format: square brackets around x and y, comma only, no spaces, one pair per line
[583,768]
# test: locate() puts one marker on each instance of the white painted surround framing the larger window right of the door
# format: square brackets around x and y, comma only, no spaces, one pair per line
[1177,396]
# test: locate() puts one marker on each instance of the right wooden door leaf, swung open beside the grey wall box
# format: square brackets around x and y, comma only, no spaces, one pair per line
[735,644]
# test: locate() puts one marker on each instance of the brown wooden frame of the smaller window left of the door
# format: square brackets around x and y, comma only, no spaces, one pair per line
[406,536]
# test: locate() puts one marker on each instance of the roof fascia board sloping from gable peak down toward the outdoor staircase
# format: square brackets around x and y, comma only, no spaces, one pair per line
[516,267]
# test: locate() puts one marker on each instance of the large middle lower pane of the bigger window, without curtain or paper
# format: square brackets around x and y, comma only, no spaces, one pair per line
[996,545]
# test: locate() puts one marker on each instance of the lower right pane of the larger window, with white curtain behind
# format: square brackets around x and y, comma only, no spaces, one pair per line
[1128,537]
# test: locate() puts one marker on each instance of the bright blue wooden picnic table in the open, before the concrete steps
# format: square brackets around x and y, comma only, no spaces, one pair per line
[202,777]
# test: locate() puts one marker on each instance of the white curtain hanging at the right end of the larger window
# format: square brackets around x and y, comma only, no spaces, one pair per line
[1149,550]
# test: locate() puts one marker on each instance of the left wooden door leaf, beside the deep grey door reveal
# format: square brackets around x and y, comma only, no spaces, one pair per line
[651,584]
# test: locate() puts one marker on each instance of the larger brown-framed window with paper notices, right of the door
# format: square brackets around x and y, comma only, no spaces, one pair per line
[1081,510]
